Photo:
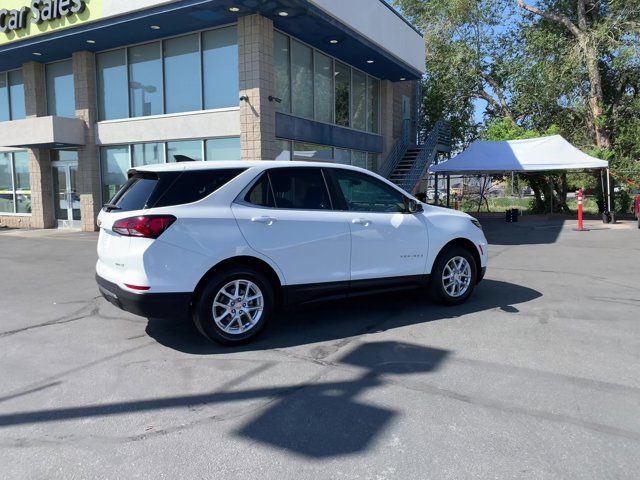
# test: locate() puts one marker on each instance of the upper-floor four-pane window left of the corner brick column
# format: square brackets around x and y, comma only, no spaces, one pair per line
[200,72]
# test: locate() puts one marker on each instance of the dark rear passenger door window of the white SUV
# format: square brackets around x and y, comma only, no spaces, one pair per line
[300,188]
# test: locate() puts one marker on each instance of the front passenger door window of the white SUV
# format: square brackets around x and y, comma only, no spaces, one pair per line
[366,194]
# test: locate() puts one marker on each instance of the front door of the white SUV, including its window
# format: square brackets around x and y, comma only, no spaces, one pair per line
[386,241]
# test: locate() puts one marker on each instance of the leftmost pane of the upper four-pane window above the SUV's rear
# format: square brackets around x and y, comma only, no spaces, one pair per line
[113,100]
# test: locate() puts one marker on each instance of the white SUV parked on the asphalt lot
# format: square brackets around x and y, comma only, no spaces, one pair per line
[230,242]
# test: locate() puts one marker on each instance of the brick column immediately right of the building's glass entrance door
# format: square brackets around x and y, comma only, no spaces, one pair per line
[84,77]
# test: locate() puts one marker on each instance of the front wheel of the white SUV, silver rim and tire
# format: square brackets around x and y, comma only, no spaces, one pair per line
[454,276]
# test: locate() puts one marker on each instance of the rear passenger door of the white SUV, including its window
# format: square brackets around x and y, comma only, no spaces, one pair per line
[288,217]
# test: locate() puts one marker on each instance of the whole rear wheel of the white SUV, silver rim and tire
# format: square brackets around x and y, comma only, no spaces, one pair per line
[234,306]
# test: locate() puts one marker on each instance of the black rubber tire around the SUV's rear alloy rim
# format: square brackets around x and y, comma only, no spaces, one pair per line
[203,309]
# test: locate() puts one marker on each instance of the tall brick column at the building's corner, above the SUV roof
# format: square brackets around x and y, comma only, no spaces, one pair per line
[257,113]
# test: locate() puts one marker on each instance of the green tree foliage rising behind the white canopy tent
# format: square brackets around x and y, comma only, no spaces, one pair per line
[532,72]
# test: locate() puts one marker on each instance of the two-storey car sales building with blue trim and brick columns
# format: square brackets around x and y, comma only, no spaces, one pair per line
[92,88]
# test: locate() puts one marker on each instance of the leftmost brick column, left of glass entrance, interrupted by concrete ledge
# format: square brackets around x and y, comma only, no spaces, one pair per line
[42,198]
